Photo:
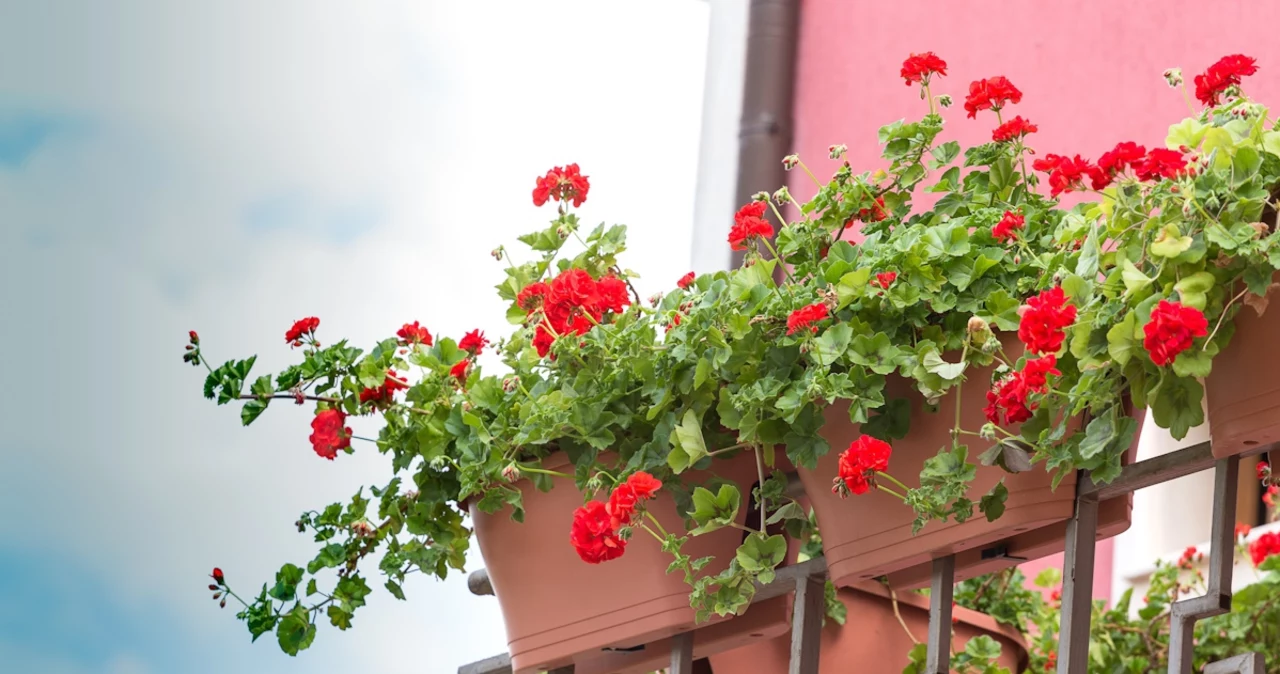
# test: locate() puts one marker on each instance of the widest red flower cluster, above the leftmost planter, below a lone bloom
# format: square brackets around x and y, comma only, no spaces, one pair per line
[573,302]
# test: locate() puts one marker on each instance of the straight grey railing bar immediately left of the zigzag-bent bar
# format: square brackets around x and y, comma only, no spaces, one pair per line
[1082,530]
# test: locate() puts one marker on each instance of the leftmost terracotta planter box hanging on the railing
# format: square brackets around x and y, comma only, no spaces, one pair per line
[561,611]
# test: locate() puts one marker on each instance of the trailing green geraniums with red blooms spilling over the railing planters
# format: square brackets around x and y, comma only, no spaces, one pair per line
[1086,313]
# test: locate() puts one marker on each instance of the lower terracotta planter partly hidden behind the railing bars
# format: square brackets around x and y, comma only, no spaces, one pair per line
[872,640]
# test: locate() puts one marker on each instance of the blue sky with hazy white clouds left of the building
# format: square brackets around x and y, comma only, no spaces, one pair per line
[231,167]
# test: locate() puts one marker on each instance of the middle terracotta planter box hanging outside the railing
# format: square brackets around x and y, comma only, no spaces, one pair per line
[871,535]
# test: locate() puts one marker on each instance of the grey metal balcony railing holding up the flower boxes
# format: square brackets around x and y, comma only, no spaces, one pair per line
[807,581]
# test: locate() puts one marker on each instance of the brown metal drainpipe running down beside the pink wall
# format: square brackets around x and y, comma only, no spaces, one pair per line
[766,130]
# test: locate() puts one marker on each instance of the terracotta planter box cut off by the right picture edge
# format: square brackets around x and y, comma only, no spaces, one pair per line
[1244,389]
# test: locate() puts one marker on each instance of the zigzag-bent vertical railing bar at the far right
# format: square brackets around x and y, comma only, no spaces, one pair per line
[1218,599]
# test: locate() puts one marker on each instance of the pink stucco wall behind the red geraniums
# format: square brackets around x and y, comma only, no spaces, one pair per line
[1090,74]
